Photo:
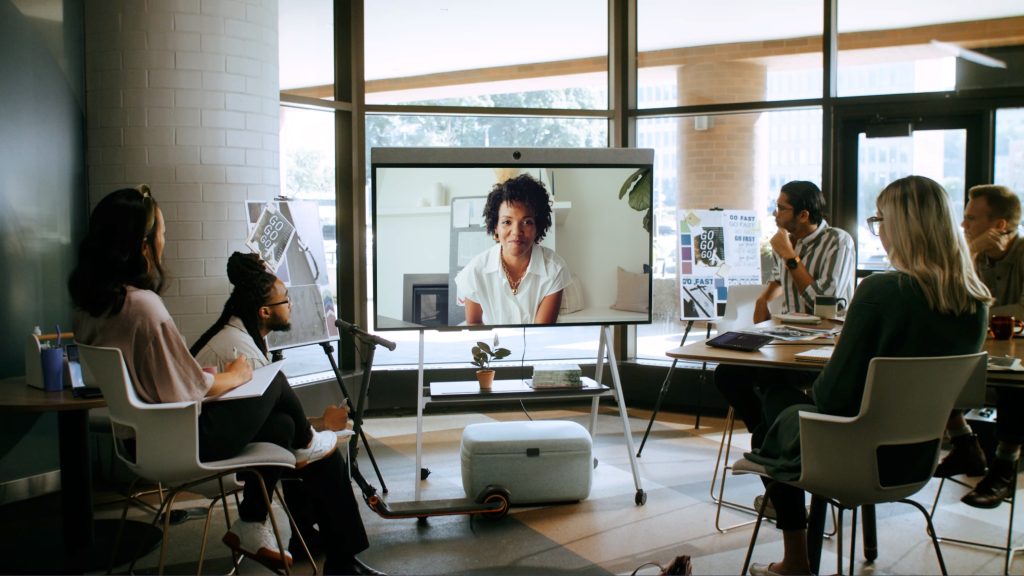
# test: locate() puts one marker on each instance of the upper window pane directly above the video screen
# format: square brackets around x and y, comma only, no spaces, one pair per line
[487,54]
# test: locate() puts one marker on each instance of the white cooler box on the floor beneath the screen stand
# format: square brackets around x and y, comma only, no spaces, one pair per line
[536,462]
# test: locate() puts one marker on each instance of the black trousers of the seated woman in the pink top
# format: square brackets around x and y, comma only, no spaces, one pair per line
[226,428]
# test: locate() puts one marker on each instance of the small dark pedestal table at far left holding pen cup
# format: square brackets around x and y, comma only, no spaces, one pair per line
[88,543]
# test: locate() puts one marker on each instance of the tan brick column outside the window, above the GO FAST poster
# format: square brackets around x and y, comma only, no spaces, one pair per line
[719,160]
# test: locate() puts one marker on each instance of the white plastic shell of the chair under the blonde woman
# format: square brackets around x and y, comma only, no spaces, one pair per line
[889,450]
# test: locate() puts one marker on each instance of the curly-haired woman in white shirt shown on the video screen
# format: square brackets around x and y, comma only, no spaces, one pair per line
[518,281]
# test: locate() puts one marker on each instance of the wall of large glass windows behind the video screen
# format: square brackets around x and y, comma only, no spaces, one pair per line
[733,106]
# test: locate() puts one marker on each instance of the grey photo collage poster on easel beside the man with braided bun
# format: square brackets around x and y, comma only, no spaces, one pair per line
[289,238]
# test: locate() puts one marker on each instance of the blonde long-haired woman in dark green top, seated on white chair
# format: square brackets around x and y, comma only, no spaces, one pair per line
[932,304]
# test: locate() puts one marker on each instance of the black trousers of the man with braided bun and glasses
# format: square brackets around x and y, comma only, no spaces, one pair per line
[322,495]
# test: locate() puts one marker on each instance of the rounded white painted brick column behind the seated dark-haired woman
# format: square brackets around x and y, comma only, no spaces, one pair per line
[184,96]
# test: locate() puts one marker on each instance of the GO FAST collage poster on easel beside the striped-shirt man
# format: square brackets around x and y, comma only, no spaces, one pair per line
[717,250]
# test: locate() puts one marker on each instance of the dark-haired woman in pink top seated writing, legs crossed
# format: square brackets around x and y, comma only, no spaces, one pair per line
[115,290]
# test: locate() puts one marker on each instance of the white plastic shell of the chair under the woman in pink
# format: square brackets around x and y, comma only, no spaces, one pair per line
[159,442]
